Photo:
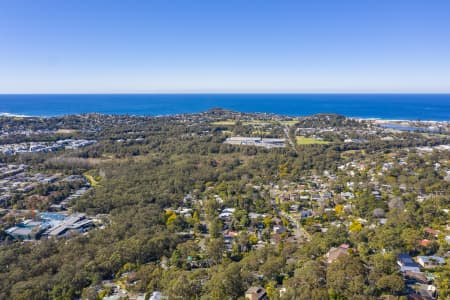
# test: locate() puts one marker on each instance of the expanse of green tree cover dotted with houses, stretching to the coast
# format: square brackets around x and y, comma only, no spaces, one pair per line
[195,218]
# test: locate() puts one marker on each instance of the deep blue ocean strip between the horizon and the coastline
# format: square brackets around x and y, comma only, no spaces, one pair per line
[382,106]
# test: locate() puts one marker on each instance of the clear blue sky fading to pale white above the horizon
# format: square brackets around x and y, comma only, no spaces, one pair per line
[183,46]
